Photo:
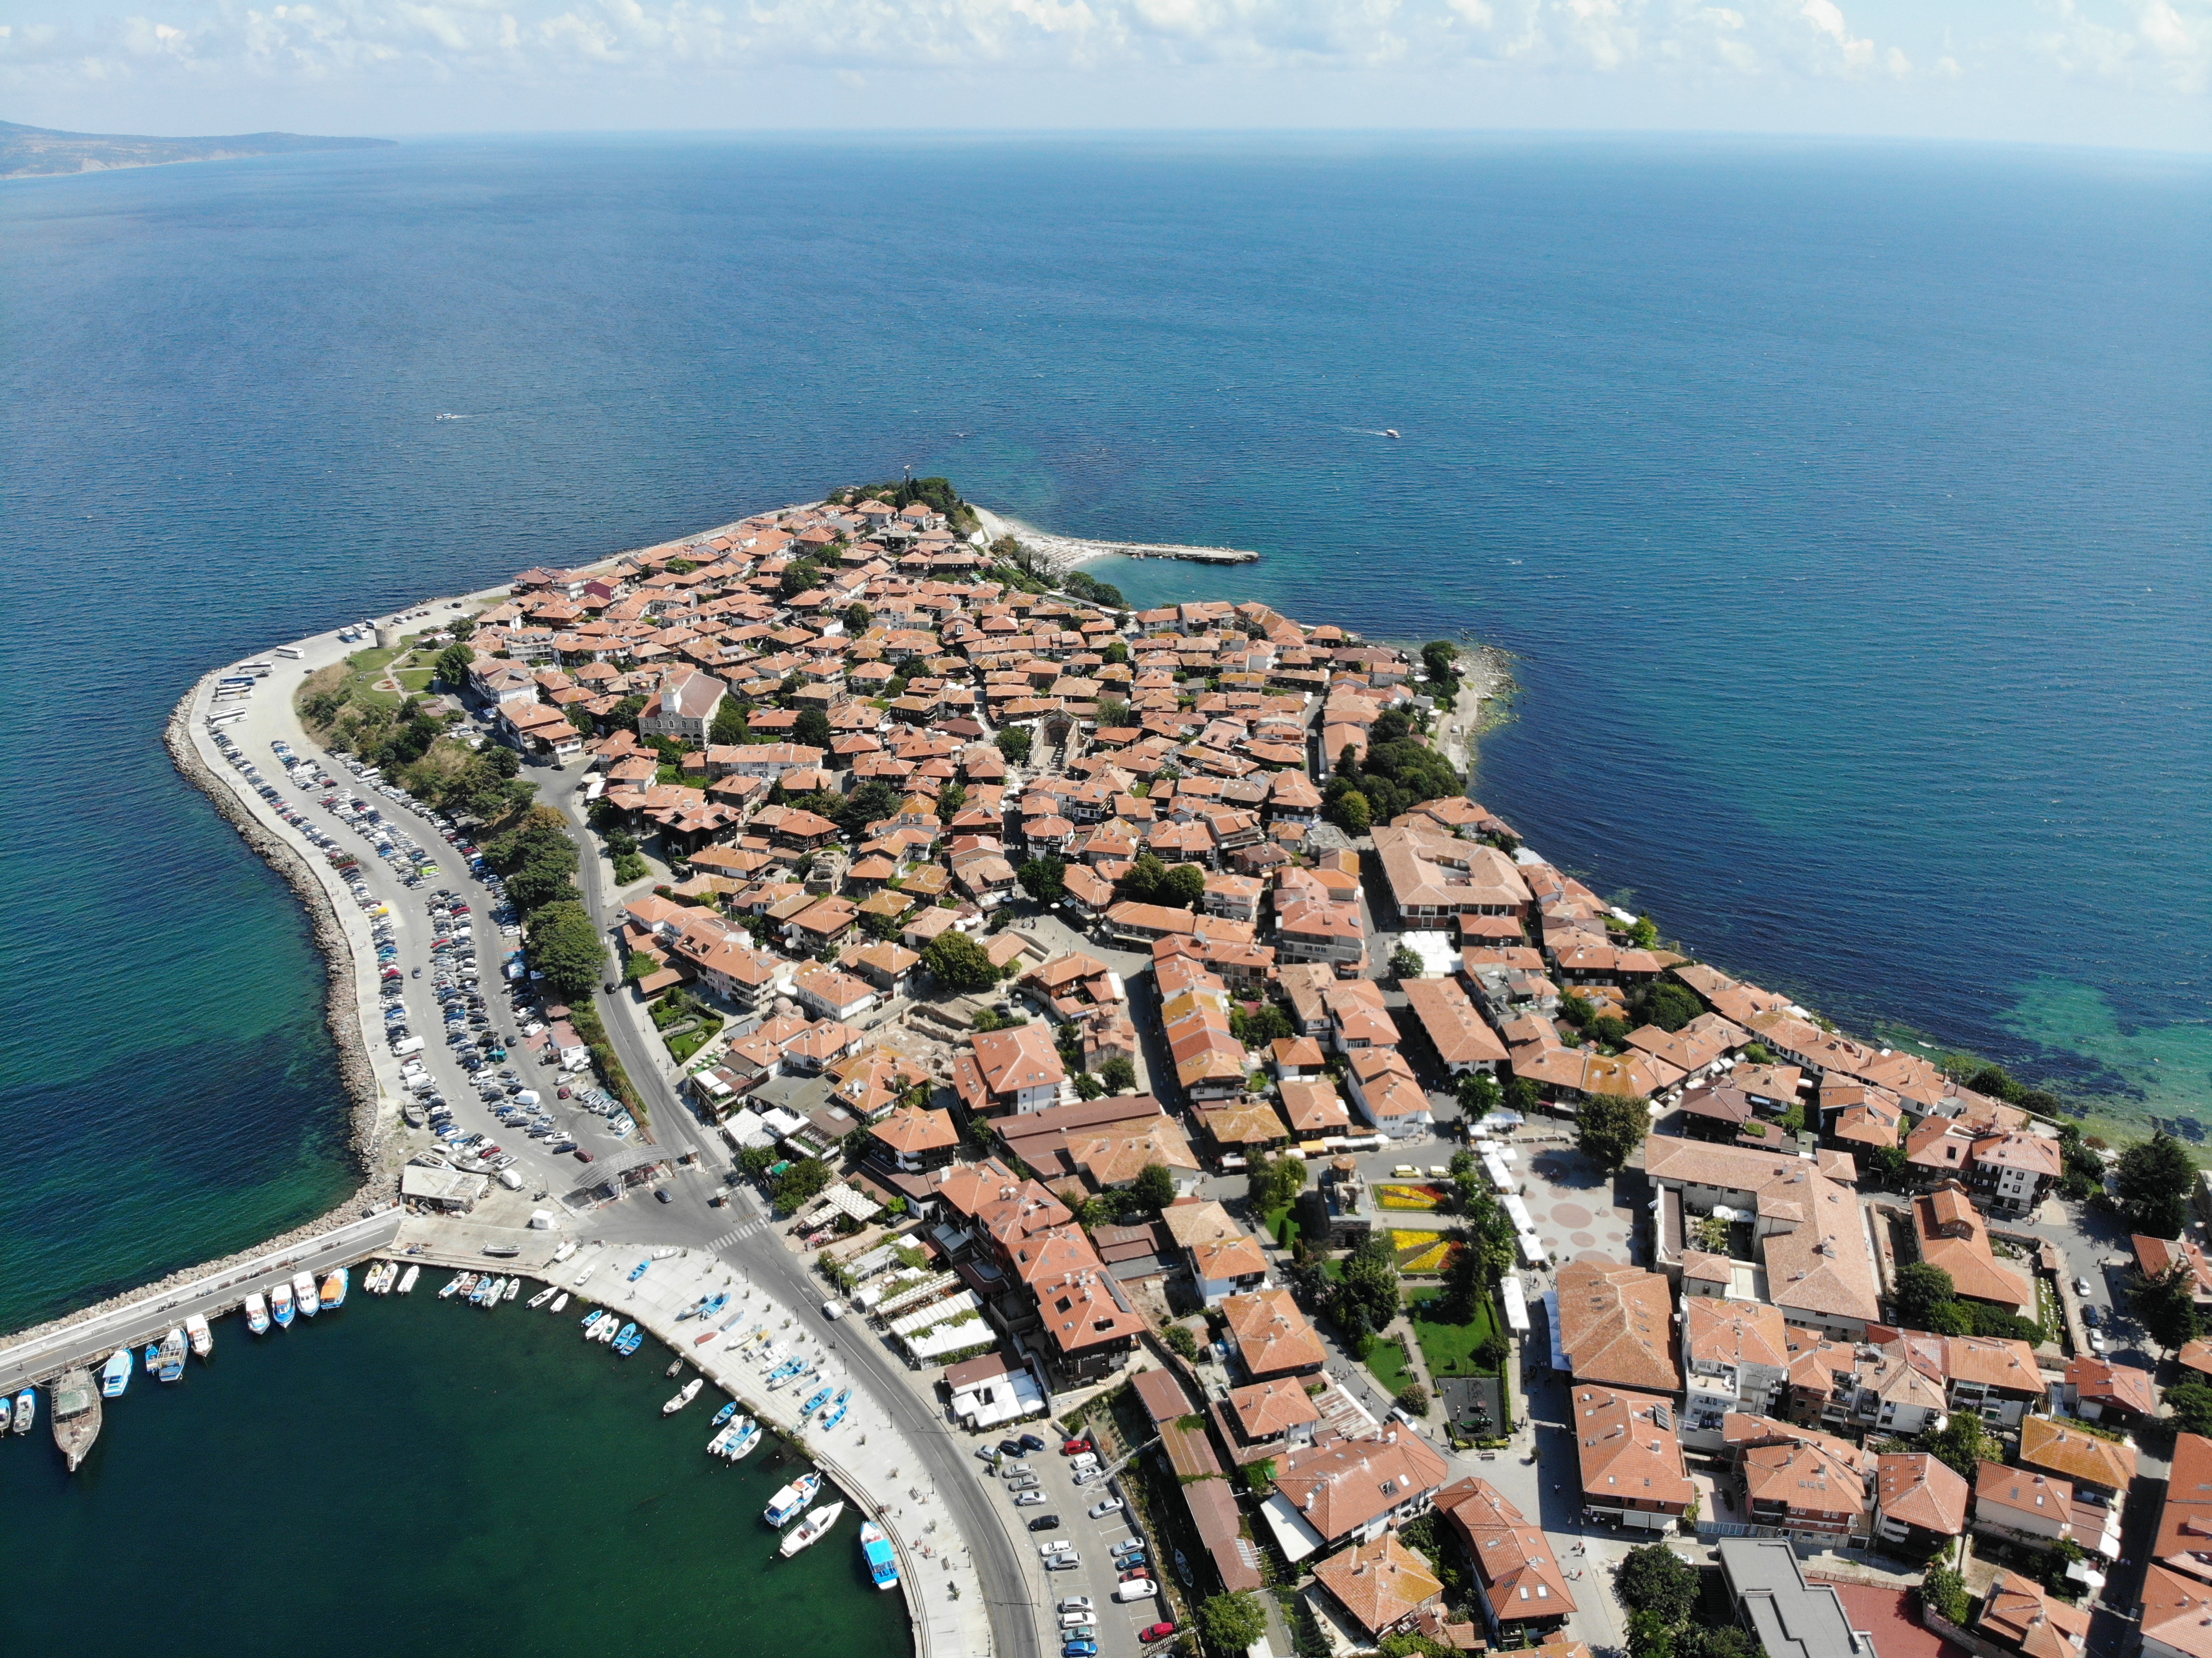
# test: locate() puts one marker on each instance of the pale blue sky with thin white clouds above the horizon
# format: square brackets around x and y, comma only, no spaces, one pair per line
[2045,72]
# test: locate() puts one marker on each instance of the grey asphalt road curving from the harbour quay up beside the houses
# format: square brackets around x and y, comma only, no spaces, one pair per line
[946,1460]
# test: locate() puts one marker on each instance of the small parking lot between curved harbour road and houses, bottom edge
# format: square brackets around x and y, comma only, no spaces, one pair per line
[1043,1487]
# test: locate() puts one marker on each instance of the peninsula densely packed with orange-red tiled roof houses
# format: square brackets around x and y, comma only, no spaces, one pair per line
[1094,1073]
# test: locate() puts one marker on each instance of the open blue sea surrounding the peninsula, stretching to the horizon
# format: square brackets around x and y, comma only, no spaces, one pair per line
[1846,510]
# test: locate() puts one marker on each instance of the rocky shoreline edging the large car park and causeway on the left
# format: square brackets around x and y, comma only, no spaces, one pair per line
[375,1157]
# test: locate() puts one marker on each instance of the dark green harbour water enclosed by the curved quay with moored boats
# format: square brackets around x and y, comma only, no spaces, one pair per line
[410,1476]
